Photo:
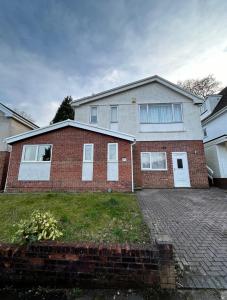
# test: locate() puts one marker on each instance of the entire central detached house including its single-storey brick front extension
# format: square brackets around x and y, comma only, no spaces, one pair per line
[146,134]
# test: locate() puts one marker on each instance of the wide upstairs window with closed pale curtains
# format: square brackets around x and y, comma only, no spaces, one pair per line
[160,113]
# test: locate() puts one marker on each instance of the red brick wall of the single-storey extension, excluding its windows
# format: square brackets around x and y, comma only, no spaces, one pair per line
[66,165]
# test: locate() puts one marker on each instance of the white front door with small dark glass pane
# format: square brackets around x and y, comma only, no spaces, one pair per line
[180,169]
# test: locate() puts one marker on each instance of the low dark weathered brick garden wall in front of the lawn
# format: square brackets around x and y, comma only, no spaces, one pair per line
[96,266]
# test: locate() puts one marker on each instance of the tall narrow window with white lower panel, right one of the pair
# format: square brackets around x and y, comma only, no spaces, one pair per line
[112,162]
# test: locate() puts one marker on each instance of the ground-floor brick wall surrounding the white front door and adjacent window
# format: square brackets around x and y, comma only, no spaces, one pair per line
[164,179]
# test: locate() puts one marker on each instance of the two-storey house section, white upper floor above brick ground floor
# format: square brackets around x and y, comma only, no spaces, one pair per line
[165,120]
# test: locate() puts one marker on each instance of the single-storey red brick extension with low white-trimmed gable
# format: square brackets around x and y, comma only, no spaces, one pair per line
[70,156]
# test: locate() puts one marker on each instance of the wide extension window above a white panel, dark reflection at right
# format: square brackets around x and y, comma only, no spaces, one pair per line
[36,153]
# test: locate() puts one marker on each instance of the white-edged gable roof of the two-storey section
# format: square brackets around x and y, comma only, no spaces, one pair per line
[129,86]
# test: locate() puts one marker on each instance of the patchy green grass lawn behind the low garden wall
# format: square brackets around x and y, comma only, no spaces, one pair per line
[94,217]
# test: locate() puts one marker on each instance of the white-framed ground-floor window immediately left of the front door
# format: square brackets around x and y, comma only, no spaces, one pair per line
[154,161]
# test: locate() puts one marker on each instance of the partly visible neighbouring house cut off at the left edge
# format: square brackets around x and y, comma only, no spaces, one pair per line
[11,123]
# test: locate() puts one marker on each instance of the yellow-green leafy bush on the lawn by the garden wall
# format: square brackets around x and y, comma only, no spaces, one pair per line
[40,226]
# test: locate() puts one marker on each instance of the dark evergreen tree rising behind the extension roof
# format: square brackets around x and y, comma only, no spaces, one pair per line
[65,111]
